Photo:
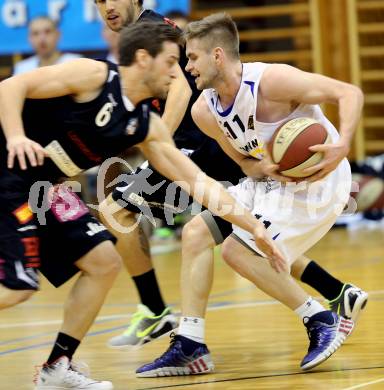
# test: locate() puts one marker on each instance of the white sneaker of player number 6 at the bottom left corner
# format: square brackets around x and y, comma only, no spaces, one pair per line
[61,375]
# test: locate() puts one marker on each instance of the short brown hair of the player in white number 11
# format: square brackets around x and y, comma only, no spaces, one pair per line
[216,29]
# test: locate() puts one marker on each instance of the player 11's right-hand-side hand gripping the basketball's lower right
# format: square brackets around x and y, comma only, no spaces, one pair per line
[333,155]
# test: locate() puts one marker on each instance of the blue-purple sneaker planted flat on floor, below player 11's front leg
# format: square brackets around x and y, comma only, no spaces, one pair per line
[176,361]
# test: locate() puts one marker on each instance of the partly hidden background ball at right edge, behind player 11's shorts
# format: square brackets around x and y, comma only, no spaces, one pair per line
[370,195]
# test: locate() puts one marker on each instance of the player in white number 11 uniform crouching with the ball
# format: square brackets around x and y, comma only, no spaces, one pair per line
[241,106]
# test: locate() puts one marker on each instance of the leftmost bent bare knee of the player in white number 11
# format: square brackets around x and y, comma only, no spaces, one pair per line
[196,235]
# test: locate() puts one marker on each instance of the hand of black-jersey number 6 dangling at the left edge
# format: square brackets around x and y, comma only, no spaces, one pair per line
[23,148]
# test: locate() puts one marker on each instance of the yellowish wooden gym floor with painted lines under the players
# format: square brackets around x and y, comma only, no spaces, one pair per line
[256,343]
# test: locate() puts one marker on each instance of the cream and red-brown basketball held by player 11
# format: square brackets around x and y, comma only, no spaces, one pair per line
[289,146]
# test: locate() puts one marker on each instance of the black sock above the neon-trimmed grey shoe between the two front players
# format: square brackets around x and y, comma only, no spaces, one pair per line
[149,292]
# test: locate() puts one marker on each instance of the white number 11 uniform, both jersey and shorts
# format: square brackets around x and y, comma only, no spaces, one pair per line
[295,215]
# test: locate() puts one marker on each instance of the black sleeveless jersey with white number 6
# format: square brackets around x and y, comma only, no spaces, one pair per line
[79,136]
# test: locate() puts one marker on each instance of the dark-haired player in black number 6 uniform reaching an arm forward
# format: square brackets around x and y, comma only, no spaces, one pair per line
[79,114]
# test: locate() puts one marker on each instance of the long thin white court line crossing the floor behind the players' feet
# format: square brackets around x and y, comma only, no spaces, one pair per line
[121,316]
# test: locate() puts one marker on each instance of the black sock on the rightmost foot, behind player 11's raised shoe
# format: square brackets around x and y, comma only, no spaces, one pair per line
[319,279]
